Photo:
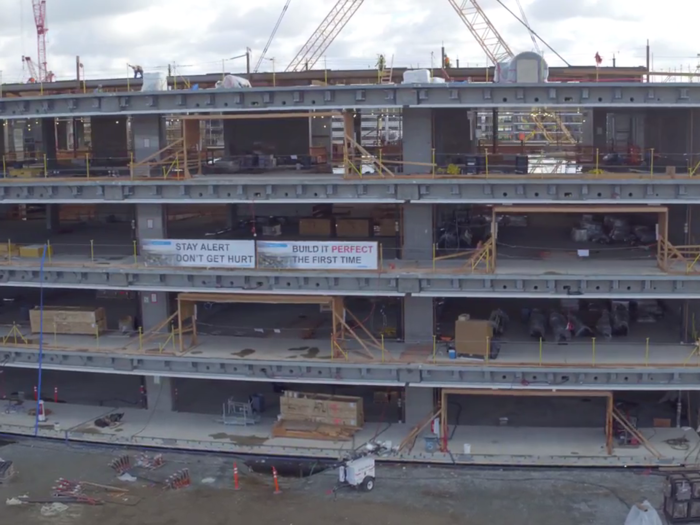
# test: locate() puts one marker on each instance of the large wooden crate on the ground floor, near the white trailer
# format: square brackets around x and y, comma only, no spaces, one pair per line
[345,411]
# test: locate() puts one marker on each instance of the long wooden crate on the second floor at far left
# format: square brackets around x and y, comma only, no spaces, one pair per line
[69,320]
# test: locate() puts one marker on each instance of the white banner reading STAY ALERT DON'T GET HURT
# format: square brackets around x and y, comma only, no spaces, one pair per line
[200,254]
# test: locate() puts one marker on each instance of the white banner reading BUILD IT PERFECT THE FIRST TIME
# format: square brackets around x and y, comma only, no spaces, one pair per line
[318,255]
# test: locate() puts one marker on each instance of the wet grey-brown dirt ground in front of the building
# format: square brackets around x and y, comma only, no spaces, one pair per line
[402,496]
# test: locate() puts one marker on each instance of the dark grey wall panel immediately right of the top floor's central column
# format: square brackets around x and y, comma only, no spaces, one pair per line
[452,134]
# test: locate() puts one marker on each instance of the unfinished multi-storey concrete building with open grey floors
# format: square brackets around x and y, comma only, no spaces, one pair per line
[360,261]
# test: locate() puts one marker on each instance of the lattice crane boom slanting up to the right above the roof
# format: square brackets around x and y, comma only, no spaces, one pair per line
[325,34]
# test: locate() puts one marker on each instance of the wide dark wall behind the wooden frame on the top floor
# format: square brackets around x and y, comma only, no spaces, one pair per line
[283,136]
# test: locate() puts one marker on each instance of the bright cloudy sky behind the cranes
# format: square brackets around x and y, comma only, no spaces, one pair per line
[198,35]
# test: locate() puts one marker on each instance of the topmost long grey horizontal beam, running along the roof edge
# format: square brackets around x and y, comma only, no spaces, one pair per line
[525,96]
